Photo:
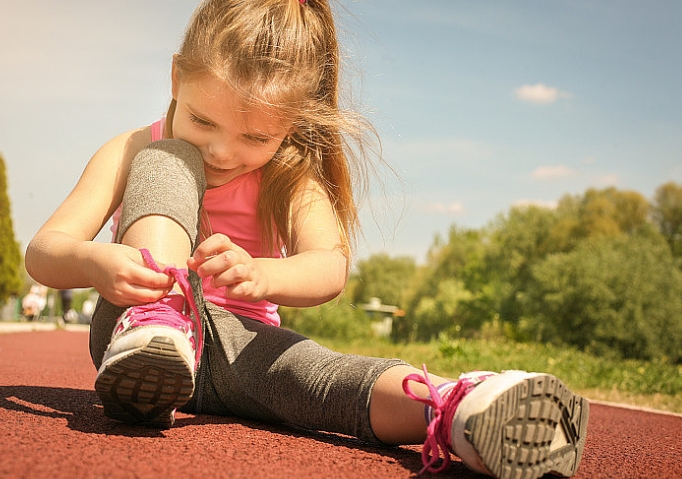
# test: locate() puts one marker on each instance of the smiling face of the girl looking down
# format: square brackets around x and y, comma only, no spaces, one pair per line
[231,139]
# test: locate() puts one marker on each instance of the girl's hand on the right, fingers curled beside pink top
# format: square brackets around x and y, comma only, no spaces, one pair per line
[230,266]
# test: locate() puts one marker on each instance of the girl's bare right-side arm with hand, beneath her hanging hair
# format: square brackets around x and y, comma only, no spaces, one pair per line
[315,272]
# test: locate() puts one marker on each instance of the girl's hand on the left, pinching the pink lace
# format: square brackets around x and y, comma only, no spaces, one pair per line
[120,275]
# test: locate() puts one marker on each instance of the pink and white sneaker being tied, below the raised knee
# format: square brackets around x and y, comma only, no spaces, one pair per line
[148,368]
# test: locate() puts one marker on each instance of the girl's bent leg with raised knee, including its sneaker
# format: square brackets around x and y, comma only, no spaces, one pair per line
[147,369]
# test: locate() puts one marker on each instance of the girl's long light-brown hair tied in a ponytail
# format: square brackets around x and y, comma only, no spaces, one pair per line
[284,53]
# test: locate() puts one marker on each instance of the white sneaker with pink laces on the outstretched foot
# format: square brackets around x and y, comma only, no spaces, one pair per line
[509,425]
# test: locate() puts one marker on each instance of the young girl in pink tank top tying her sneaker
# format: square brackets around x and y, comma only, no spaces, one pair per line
[247,182]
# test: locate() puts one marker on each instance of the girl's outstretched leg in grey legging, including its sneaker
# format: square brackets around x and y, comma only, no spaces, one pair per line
[506,425]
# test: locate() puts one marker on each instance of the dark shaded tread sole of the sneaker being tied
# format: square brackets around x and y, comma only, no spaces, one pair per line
[146,386]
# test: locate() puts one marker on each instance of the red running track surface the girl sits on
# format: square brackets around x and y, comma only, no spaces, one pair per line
[52,425]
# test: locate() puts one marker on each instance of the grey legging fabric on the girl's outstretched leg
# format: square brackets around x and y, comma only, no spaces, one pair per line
[253,370]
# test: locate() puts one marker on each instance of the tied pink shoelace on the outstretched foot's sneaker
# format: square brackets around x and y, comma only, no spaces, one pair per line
[438,432]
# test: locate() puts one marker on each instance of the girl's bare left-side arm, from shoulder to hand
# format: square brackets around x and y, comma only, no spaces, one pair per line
[62,254]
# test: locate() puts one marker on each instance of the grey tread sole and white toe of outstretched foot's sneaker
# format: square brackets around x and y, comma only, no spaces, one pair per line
[534,427]
